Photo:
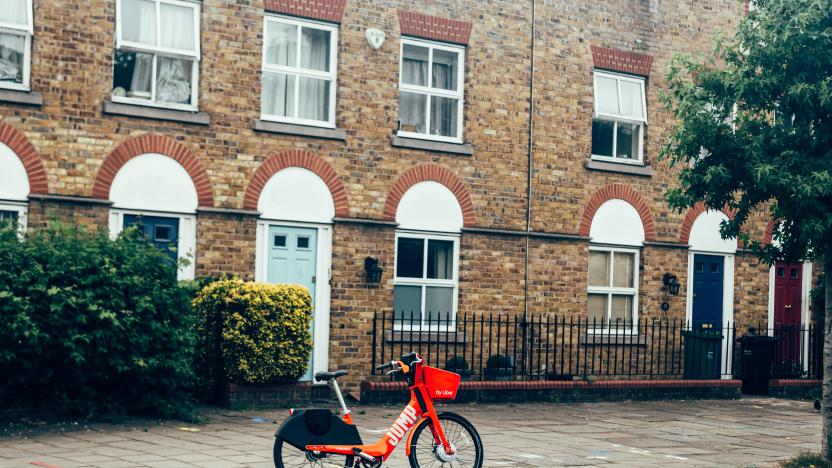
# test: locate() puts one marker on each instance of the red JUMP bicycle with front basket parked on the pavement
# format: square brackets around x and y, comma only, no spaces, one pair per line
[319,438]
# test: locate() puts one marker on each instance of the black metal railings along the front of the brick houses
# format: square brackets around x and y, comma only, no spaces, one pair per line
[551,347]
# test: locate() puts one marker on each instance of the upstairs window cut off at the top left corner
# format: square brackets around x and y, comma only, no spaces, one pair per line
[15,43]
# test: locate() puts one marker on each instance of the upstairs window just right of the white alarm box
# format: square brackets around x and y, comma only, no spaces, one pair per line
[430,85]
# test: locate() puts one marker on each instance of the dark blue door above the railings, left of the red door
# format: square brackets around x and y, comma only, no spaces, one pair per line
[708,285]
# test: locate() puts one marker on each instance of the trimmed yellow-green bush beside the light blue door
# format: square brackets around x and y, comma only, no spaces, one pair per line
[260,332]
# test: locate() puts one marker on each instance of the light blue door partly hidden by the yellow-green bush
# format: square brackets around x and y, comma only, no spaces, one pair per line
[293,259]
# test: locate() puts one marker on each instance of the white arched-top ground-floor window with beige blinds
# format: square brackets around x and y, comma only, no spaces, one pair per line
[616,236]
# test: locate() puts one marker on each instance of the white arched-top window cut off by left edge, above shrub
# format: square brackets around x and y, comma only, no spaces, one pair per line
[14,188]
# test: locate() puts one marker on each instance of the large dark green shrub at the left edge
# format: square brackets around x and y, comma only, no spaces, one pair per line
[92,325]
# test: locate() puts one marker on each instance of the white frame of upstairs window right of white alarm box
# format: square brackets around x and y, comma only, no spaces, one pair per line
[430,91]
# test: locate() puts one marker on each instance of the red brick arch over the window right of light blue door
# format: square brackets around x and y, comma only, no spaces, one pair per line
[430,173]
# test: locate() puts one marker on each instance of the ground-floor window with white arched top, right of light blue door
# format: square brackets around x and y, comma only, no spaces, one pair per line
[426,277]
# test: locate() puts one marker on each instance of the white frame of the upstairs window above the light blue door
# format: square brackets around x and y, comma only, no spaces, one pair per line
[299,72]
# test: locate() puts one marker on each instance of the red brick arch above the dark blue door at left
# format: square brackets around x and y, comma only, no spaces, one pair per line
[153,143]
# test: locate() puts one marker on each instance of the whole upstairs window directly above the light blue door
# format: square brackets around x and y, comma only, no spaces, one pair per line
[299,64]
